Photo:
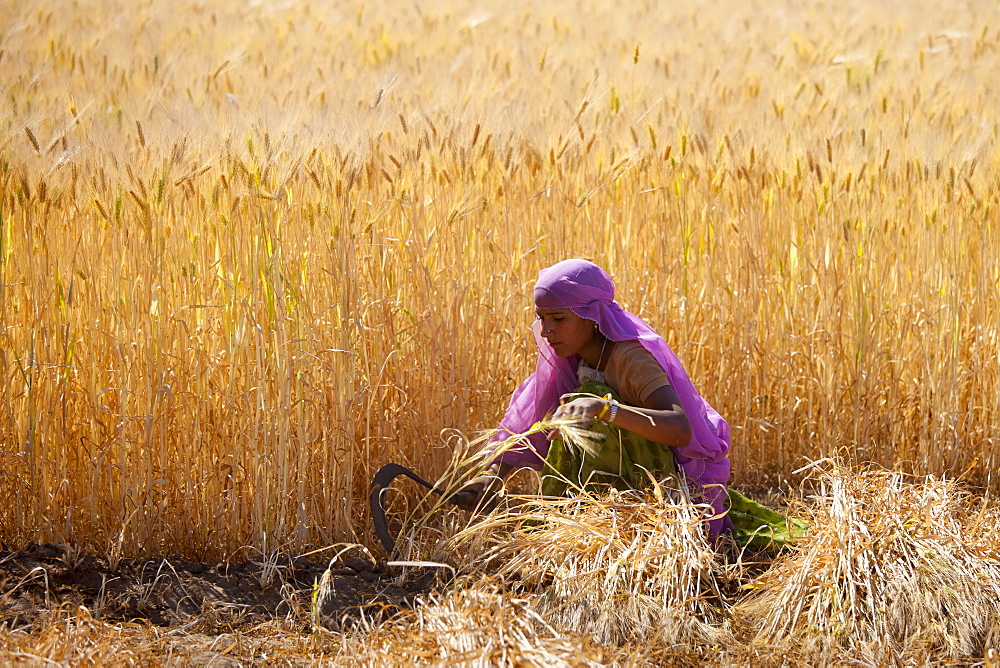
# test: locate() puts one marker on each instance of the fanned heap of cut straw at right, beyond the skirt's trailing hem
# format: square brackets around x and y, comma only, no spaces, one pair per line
[889,568]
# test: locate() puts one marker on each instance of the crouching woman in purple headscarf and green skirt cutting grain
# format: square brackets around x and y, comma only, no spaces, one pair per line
[656,420]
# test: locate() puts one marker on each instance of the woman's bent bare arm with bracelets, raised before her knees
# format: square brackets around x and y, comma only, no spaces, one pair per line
[661,420]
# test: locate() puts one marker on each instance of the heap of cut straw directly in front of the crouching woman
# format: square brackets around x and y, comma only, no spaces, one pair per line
[624,567]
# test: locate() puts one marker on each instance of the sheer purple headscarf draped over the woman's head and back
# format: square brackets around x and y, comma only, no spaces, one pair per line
[588,291]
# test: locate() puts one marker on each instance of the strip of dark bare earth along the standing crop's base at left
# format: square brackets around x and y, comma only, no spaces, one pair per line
[173,591]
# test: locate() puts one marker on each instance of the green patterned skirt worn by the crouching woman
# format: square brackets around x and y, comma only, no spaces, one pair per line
[624,460]
